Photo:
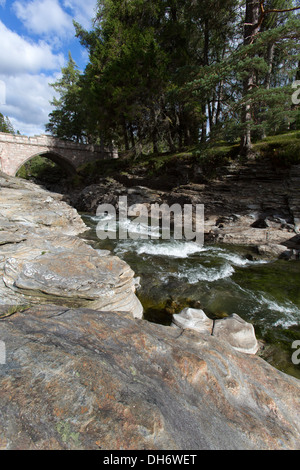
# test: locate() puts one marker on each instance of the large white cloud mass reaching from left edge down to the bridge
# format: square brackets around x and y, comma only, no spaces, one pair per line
[26,69]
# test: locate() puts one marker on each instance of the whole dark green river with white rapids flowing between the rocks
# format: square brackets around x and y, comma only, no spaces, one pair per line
[221,280]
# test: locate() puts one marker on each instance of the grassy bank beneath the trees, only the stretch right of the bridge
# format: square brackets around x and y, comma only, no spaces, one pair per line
[281,150]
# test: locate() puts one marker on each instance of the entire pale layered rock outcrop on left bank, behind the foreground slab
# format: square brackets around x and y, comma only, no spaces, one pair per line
[42,261]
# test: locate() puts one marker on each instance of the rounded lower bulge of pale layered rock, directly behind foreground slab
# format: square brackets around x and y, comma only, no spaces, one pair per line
[67,271]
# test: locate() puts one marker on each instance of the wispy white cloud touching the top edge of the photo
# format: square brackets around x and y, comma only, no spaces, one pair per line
[44,17]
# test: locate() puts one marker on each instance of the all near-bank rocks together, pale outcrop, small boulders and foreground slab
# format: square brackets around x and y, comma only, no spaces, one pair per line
[83,370]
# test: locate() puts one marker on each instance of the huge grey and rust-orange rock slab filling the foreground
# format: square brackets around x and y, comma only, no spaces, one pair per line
[82,379]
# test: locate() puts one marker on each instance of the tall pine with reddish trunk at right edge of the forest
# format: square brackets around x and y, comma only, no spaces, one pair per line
[263,32]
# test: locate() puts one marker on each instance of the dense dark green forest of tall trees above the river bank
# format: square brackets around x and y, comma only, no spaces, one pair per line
[164,75]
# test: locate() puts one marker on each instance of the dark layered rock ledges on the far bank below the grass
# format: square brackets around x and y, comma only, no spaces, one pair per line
[251,204]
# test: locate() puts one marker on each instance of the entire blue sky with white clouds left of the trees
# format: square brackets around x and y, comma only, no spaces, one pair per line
[35,38]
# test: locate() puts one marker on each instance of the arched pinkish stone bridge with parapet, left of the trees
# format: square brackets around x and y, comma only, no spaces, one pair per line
[15,150]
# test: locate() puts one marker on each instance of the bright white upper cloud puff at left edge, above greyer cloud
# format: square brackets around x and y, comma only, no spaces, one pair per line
[19,55]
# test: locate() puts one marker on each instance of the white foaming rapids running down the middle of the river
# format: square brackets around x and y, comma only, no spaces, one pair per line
[191,263]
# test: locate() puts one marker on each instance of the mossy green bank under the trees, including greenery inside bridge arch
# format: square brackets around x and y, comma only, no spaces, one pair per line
[281,150]
